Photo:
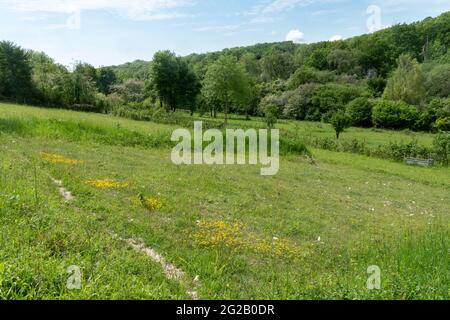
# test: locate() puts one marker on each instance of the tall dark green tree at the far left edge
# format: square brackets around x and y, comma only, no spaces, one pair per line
[15,72]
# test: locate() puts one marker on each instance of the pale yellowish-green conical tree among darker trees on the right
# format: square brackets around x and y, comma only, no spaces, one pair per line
[406,83]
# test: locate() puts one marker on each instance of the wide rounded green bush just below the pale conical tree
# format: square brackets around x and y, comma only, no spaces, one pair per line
[395,115]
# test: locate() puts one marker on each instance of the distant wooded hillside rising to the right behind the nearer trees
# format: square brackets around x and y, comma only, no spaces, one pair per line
[379,50]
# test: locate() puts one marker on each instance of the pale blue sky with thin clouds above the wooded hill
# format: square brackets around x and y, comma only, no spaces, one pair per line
[107,32]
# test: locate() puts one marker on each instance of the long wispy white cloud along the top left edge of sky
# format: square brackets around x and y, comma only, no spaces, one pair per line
[132,9]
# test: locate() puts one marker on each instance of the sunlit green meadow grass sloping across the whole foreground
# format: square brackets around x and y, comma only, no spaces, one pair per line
[366,212]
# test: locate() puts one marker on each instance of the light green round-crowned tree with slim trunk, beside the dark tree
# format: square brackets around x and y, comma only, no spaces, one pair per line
[227,83]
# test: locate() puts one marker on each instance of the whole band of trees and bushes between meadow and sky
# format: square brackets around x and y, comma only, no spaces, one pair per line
[397,78]
